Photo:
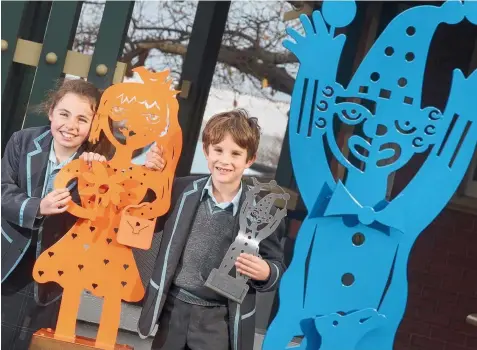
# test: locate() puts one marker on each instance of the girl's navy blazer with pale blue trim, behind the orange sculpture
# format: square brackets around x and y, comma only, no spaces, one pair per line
[24,166]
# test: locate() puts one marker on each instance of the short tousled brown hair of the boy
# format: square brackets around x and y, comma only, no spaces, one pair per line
[244,130]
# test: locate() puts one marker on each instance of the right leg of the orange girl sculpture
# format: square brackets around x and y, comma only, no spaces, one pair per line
[109,323]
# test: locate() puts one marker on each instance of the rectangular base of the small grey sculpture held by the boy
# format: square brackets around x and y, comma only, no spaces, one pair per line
[227,286]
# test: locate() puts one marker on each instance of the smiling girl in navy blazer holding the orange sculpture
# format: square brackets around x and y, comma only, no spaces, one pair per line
[33,214]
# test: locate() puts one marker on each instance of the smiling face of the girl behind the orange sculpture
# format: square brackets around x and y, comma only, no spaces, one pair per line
[71,121]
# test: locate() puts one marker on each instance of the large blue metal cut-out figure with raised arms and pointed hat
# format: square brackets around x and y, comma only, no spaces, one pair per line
[346,287]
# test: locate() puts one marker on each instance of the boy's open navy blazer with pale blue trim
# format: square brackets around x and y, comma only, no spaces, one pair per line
[186,194]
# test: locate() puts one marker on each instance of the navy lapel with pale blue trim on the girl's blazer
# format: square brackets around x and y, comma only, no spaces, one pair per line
[37,161]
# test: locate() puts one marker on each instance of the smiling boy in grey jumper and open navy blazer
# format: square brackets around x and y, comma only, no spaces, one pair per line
[200,226]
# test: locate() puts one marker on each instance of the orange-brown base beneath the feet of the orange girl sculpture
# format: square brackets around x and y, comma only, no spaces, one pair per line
[44,339]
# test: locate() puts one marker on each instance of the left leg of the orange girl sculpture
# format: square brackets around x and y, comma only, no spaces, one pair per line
[66,324]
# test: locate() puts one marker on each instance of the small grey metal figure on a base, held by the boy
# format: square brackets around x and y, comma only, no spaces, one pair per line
[256,223]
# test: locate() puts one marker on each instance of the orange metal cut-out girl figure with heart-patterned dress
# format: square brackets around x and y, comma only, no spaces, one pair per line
[89,256]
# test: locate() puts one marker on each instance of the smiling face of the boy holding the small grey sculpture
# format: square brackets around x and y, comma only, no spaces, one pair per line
[227,161]
